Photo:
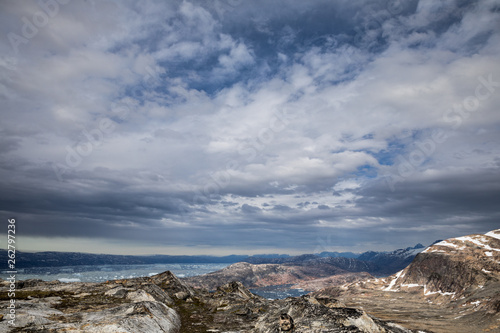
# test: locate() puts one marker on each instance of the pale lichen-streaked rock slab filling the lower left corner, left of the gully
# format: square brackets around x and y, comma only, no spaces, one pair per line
[136,305]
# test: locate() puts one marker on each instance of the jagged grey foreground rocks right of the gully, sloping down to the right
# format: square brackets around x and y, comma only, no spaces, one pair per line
[237,310]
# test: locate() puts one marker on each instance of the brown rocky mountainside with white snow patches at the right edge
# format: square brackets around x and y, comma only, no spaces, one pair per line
[456,280]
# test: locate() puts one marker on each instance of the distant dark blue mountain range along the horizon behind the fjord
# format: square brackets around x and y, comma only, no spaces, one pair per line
[375,263]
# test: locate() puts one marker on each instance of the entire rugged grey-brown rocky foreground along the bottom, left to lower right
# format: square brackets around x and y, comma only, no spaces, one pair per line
[163,303]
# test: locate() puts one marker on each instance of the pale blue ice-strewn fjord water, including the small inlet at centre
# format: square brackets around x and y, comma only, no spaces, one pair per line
[101,273]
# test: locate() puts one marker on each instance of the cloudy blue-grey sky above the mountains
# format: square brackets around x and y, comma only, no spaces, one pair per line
[245,127]
